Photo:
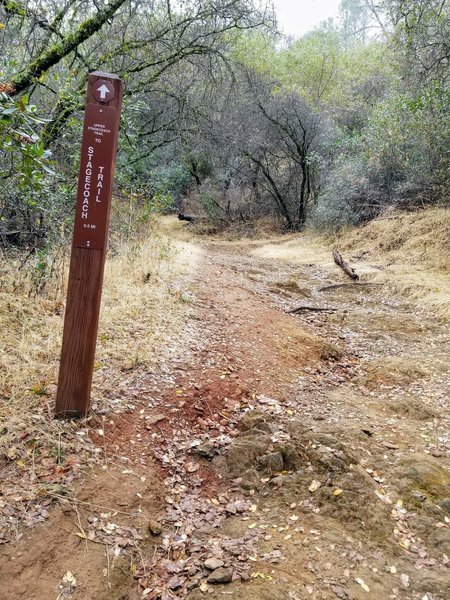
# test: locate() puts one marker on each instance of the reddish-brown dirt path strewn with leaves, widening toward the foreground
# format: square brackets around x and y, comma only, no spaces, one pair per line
[307,455]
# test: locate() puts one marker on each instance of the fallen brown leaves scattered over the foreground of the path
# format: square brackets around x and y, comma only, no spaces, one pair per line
[199,504]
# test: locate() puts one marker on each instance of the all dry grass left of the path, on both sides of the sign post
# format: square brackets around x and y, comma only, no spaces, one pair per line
[142,306]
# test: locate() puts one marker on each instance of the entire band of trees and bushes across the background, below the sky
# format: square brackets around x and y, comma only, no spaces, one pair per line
[222,116]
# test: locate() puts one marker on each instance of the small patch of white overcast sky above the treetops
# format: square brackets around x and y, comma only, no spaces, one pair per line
[296,17]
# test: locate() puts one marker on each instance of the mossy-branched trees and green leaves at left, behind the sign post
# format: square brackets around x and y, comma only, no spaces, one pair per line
[48,49]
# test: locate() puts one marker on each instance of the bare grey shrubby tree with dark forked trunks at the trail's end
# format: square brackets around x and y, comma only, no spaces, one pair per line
[264,150]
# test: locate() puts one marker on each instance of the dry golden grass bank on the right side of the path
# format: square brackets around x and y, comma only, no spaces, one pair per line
[406,251]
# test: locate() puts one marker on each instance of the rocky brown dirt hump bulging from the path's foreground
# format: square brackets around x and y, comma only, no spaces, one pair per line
[305,468]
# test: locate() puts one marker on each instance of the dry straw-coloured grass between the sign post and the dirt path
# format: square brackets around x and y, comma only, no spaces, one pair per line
[144,299]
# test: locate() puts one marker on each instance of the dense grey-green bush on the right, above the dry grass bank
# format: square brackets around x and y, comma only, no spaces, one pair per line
[400,159]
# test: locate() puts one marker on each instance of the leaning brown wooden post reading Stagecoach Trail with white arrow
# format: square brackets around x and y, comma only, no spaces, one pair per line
[98,154]
